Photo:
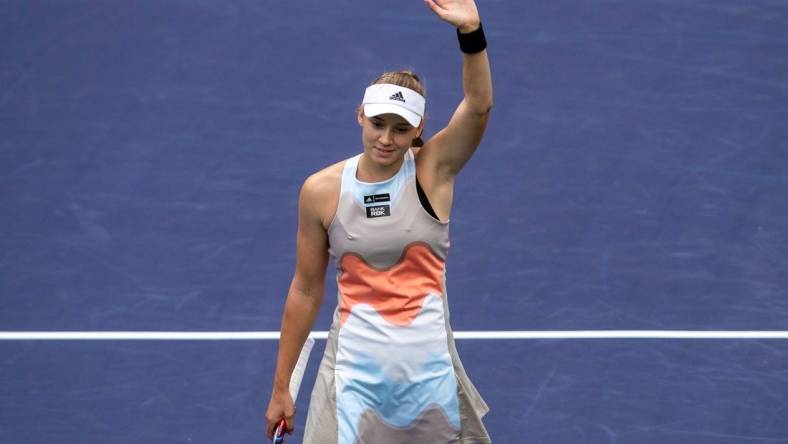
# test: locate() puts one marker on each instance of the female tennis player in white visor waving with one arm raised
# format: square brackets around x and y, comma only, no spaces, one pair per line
[390,372]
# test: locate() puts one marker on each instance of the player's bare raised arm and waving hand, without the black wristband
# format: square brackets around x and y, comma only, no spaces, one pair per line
[450,148]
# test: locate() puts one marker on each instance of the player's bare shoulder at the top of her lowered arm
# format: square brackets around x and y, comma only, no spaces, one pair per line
[320,192]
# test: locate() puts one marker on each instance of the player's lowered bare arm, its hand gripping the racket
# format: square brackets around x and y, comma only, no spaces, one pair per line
[303,301]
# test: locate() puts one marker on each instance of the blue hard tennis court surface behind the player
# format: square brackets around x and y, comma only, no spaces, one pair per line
[634,176]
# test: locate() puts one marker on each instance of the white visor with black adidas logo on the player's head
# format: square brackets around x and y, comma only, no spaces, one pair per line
[386,98]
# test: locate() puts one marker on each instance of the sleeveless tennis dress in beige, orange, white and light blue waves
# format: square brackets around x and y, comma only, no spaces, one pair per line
[390,373]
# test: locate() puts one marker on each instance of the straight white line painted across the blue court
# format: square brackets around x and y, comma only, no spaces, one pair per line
[274,335]
